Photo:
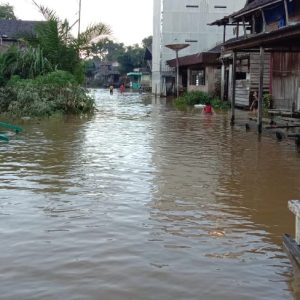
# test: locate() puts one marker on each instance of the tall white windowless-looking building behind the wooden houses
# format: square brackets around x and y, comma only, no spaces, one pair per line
[185,21]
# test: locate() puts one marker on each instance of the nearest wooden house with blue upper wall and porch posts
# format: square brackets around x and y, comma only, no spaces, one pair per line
[269,26]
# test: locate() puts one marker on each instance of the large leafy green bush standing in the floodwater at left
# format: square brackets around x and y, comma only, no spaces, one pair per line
[56,92]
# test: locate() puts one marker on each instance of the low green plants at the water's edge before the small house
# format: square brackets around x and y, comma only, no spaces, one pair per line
[199,97]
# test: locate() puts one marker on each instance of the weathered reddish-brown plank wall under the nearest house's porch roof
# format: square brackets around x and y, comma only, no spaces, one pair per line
[285,79]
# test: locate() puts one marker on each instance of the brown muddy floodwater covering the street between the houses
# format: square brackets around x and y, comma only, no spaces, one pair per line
[141,201]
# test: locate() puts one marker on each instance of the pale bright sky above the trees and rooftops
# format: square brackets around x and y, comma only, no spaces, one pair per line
[130,20]
